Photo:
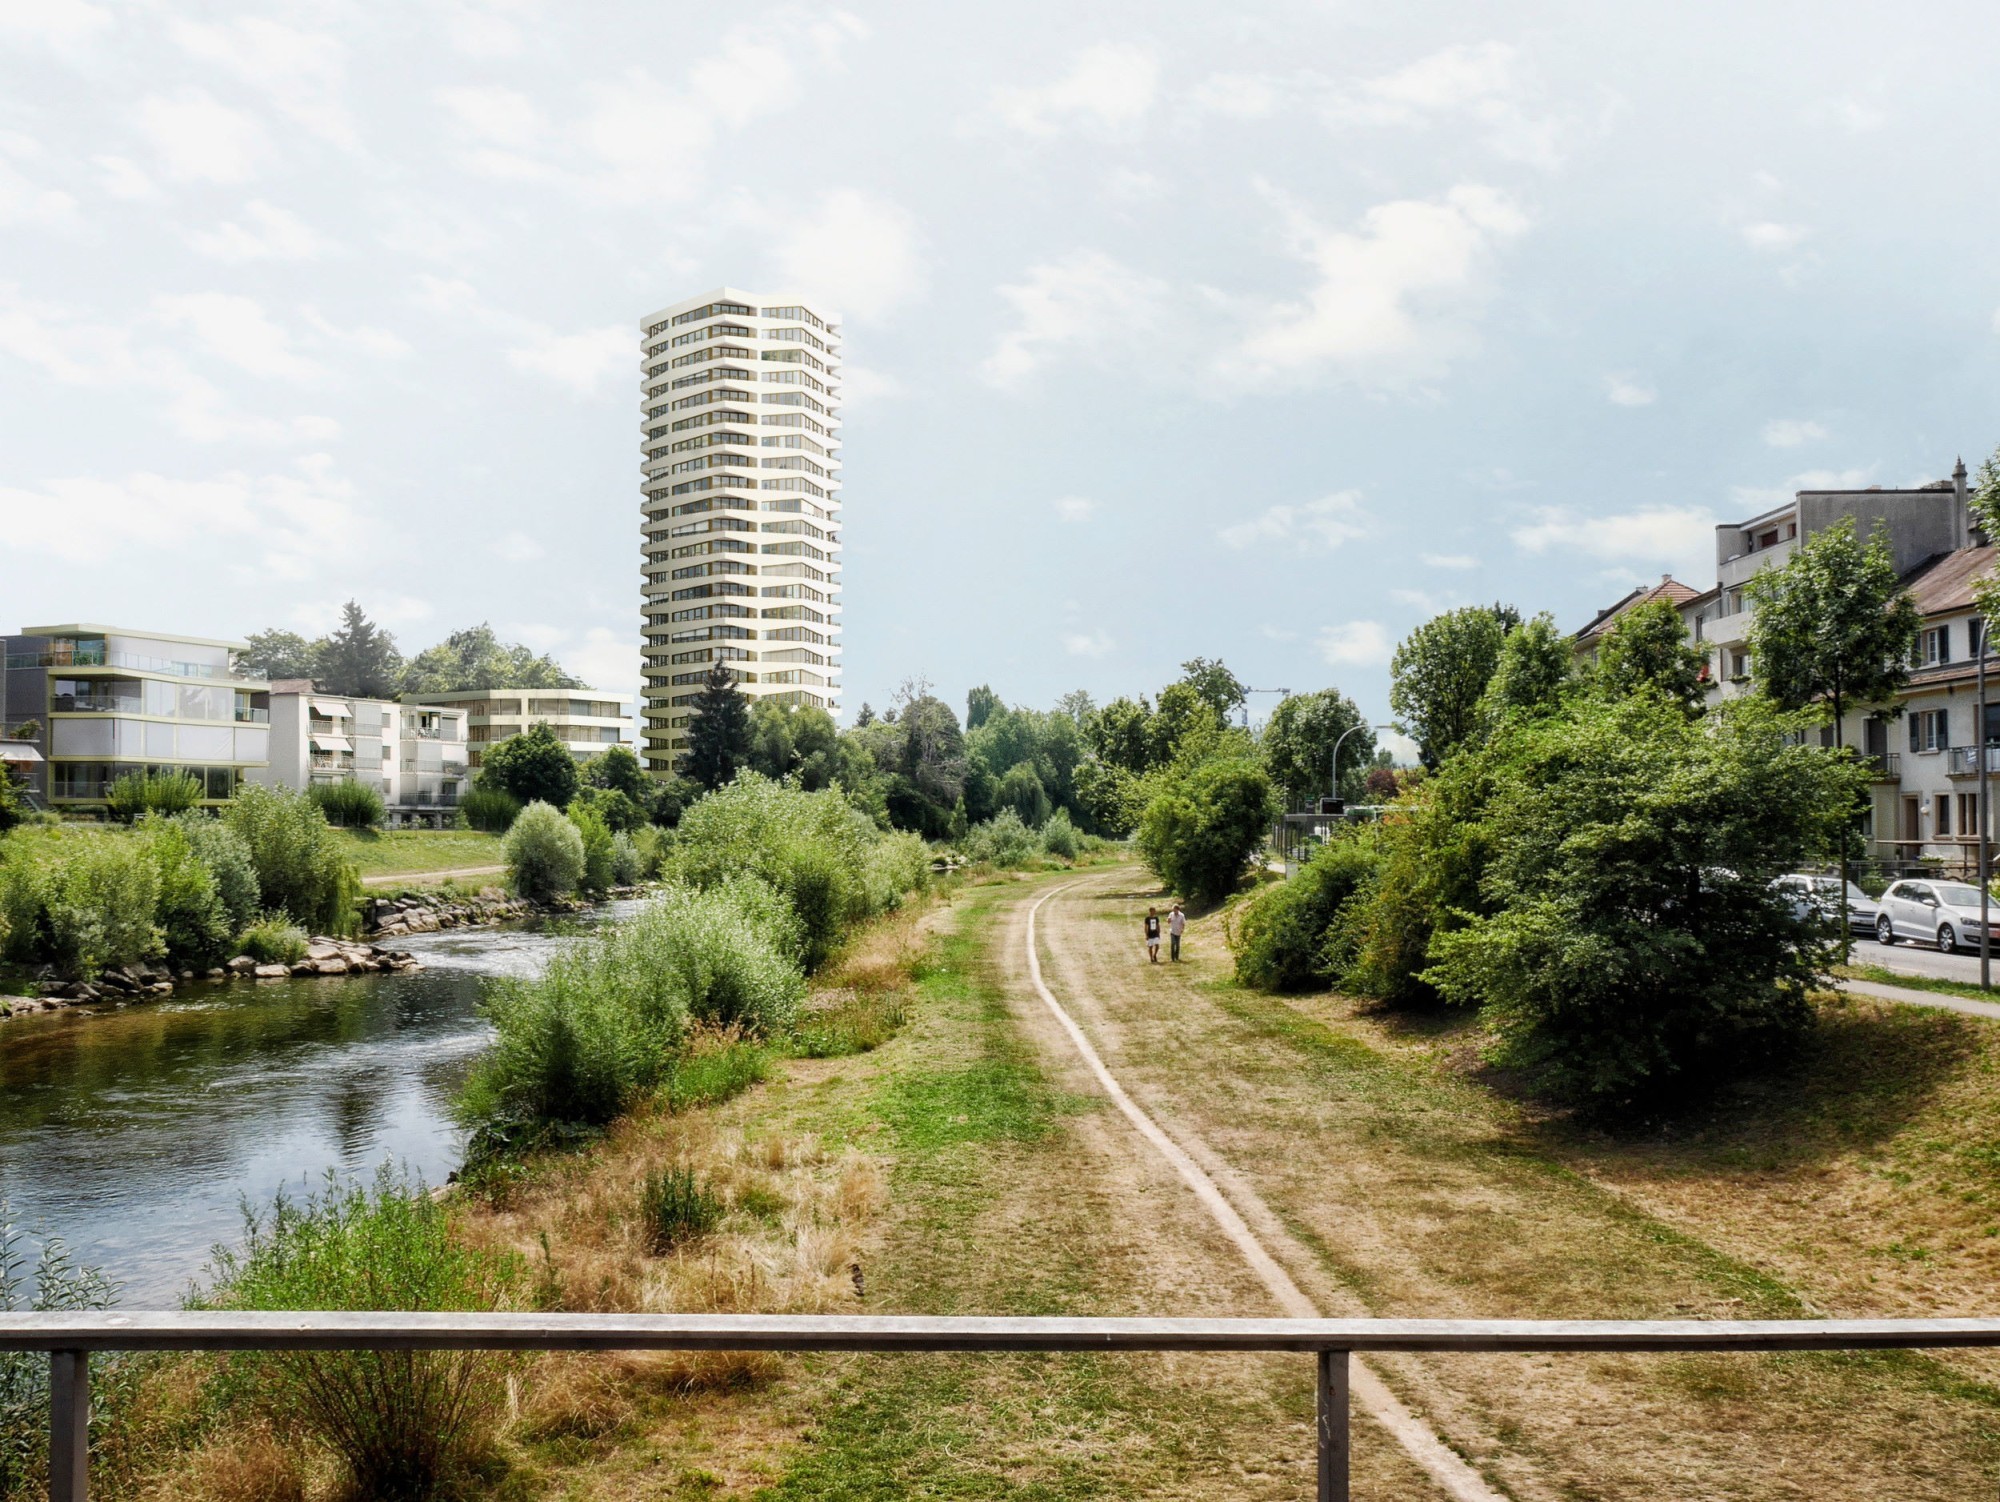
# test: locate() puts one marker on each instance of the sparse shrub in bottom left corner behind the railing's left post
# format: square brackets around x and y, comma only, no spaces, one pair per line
[57,1285]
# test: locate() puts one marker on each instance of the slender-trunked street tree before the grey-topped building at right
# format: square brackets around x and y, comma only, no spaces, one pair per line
[1833,625]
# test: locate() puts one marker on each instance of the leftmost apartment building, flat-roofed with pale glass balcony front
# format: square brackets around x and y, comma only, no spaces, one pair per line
[105,701]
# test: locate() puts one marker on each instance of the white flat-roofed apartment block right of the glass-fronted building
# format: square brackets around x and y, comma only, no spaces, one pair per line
[413,755]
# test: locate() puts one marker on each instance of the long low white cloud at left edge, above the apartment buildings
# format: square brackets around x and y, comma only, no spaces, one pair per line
[281,525]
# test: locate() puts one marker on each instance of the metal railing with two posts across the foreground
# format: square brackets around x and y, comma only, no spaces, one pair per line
[71,1341]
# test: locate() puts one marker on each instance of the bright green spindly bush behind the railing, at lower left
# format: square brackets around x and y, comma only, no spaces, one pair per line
[403,1425]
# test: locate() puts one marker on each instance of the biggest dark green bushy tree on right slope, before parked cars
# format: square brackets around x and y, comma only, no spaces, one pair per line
[1633,947]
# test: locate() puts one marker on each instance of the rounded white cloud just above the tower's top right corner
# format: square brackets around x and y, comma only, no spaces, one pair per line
[863,255]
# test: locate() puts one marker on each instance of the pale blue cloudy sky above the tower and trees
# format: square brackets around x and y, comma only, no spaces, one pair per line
[1259,331]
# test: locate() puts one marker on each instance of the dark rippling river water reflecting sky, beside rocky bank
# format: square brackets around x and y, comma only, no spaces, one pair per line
[137,1133]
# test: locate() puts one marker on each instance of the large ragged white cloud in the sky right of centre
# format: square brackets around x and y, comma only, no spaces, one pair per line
[1377,301]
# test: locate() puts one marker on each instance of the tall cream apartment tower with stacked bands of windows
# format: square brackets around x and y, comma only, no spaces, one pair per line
[739,503]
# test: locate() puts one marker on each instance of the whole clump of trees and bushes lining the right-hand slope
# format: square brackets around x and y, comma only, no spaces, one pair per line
[1589,859]
